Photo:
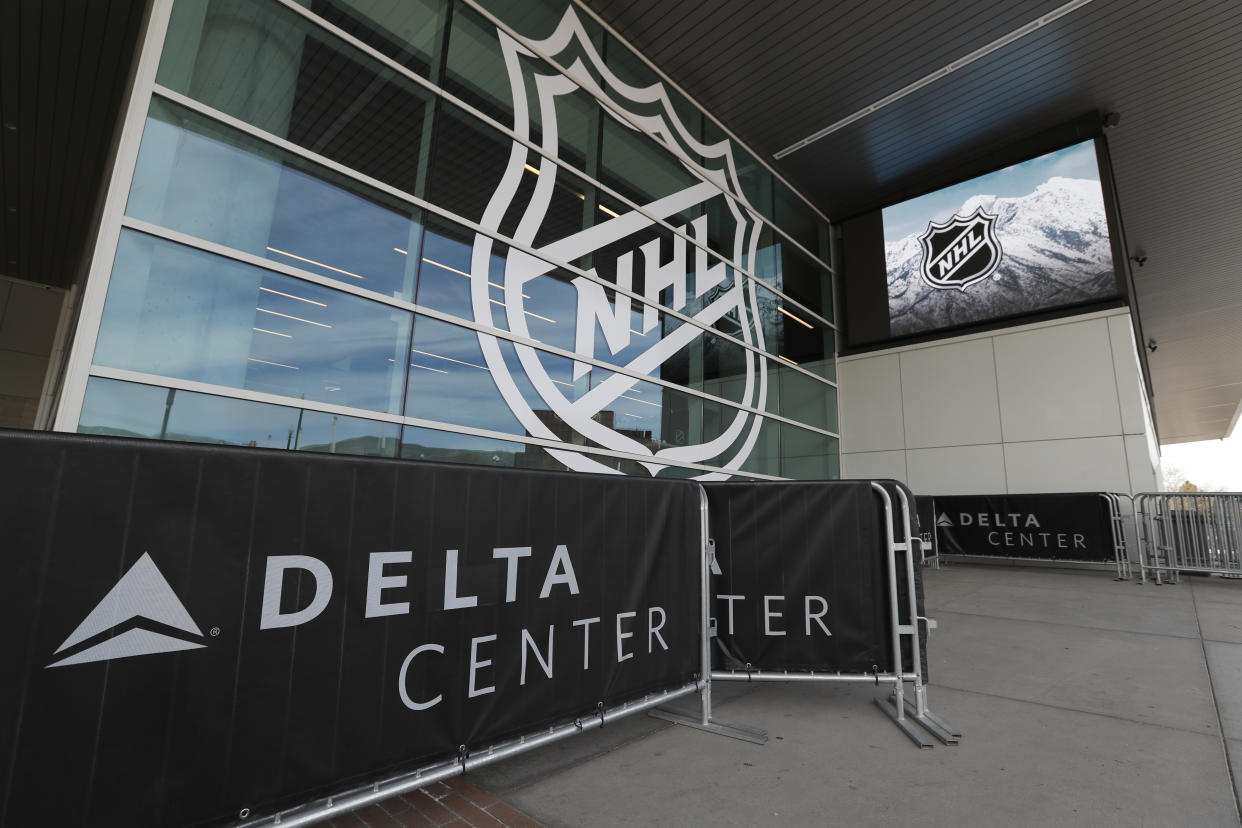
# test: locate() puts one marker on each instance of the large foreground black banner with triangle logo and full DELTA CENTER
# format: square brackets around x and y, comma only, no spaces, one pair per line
[192,631]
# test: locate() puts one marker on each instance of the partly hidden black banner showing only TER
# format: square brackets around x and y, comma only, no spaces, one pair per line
[803,582]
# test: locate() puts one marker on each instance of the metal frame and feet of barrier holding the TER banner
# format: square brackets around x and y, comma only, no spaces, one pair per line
[900,557]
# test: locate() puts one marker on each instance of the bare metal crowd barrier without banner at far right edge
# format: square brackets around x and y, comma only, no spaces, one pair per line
[1189,533]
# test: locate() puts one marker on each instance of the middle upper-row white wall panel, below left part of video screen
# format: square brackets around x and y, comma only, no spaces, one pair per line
[950,395]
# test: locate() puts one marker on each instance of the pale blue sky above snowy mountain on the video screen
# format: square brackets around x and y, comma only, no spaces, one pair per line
[1077,162]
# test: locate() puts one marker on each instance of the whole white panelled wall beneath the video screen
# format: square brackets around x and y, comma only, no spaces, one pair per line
[1045,408]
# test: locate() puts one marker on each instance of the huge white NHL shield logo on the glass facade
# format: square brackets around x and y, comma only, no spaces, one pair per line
[605,320]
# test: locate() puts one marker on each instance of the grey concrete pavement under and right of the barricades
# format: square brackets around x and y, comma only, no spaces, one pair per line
[1082,701]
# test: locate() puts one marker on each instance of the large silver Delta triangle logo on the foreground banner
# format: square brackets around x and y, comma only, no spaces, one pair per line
[142,593]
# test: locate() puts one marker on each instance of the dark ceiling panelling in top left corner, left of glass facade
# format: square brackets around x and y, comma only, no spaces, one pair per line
[64,73]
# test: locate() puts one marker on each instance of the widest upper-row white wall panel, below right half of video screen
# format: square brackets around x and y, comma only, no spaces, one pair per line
[1058,383]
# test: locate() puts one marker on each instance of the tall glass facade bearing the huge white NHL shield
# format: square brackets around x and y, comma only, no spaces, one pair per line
[394,230]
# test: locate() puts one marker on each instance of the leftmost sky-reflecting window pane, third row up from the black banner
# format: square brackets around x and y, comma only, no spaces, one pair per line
[208,181]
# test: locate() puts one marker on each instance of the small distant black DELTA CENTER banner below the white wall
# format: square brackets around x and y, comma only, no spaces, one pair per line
[1048,527]
